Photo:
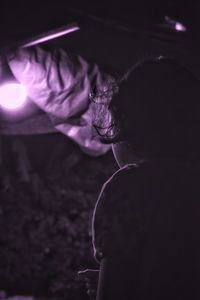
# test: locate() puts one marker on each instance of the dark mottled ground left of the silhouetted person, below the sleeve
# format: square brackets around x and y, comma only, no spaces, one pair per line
[47,195]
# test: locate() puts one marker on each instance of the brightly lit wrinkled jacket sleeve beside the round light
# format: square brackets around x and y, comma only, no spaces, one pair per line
[60,84]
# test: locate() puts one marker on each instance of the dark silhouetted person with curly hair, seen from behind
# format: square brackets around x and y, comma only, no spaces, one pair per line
[146,223]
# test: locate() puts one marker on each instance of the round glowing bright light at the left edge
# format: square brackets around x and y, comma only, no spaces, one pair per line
[12,95]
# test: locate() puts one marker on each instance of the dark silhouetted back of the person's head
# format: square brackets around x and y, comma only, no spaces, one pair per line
[157,110]
